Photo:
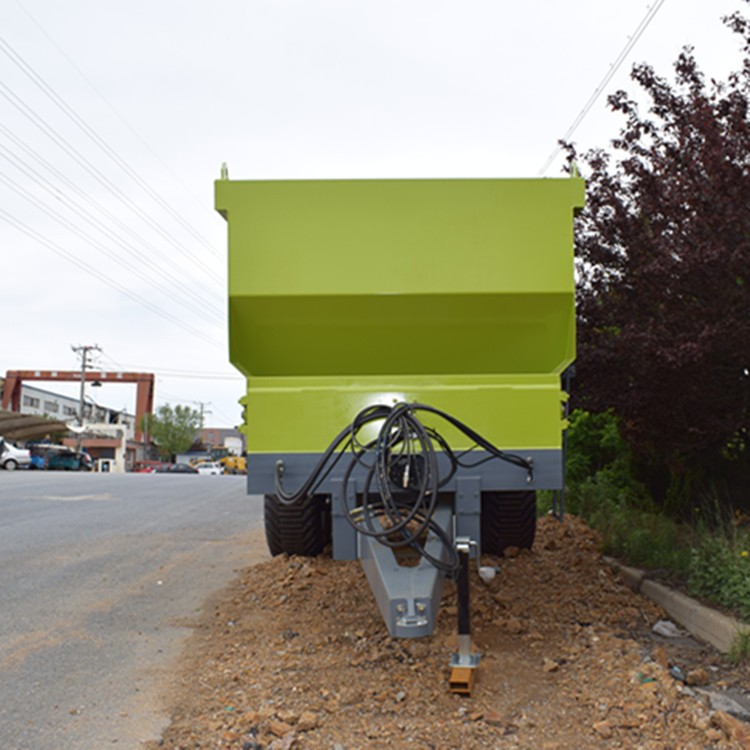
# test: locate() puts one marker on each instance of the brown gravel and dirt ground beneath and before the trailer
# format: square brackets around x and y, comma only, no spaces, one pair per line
[295,655]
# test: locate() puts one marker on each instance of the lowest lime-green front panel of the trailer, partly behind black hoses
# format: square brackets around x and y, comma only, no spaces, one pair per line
[515,414]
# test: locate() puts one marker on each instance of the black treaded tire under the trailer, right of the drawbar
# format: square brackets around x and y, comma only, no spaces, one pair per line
[508,520]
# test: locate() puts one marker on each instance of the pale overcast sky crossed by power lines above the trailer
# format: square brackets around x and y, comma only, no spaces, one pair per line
[115,118]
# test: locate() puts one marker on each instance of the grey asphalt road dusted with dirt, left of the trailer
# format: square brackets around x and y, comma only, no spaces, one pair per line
[101,576]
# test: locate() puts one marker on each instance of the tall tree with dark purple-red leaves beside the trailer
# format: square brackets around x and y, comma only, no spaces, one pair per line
[664,271]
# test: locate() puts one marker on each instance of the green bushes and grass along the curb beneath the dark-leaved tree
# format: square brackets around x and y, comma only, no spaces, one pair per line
[709,555]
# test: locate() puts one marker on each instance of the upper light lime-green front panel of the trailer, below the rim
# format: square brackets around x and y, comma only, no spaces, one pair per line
[399,236]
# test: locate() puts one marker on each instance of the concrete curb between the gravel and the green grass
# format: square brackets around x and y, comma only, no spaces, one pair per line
[703,622]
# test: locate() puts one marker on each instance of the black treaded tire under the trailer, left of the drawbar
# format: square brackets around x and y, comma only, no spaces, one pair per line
[303,528]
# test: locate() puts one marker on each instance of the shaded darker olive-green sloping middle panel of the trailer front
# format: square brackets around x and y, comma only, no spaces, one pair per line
[403,334]
